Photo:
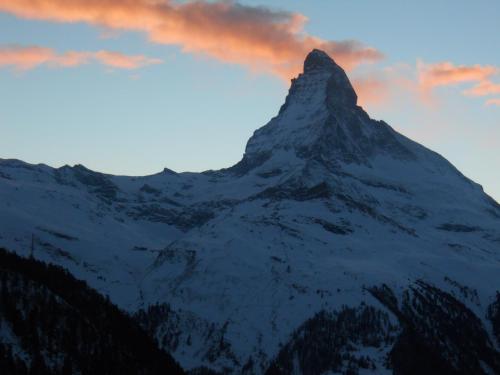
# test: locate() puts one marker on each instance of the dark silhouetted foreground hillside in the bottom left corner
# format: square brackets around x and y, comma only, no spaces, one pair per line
[52,323]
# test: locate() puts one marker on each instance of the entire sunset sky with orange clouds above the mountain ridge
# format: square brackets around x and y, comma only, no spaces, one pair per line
[133,86]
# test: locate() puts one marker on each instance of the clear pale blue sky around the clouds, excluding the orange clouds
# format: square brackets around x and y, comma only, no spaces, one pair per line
[195,111]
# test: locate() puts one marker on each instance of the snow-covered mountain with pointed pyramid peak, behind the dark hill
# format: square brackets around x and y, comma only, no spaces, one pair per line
[330,215]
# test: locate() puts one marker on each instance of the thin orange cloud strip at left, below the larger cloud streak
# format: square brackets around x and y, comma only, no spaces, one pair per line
[25,58]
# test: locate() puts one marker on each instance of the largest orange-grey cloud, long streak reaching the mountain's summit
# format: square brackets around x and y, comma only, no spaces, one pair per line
[256,37]
